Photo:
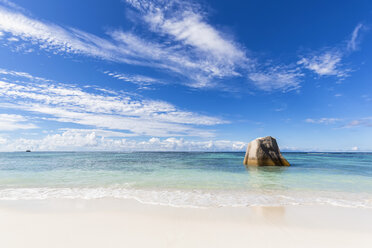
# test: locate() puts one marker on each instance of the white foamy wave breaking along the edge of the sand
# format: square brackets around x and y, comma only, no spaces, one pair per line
[194,198]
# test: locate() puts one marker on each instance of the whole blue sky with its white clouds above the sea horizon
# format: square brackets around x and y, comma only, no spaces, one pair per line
[185,75]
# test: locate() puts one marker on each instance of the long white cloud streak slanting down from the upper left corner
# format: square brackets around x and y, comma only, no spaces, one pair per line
[58,39]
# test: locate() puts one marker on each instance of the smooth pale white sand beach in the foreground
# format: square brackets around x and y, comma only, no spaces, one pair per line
[127,223]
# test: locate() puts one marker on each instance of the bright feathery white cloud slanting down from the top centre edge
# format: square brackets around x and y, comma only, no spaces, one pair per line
[183,25]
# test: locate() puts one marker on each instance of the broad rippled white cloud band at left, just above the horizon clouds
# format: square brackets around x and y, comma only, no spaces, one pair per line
[71,104]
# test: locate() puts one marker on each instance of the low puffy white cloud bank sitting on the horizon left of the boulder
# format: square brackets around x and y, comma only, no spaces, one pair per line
[92,140]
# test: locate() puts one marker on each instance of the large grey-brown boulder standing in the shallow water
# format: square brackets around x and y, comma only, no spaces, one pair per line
[264,152]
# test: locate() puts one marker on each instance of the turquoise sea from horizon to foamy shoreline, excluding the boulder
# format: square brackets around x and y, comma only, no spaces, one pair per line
[189,179]
